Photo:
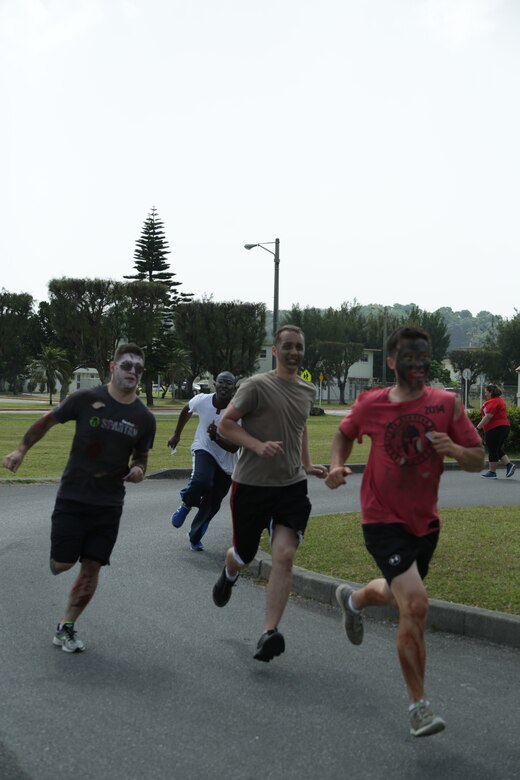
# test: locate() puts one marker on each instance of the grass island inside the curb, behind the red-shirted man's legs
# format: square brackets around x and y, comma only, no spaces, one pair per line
[477,561]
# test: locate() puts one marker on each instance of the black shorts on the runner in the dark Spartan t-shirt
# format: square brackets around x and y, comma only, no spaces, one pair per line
[83,531]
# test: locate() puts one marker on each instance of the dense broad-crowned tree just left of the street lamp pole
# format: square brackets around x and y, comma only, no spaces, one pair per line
[221,336]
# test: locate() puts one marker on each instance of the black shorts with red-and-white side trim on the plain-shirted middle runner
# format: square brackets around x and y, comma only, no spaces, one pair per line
[256,508]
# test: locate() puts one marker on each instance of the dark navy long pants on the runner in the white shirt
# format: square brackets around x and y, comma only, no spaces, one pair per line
[207,487]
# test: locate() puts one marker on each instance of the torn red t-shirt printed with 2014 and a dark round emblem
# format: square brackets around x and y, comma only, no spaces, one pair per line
[401,480]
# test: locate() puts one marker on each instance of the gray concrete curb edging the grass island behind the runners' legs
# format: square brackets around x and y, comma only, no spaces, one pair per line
[497,627]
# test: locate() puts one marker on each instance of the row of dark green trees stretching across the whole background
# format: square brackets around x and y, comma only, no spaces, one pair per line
[84,320]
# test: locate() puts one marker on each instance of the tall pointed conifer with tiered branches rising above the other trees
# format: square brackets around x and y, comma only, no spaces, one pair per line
[150,258]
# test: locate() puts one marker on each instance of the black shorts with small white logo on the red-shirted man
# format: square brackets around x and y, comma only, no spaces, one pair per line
[394,549]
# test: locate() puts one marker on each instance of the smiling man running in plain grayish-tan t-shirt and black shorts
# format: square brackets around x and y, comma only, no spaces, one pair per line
[269,481]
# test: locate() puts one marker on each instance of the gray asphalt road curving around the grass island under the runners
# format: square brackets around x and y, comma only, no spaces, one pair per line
[168,687]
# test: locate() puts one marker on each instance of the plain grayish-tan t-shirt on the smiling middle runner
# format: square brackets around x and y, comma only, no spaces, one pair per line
[273,409]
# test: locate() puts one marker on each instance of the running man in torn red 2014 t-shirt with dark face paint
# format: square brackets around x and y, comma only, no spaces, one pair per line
[412,428]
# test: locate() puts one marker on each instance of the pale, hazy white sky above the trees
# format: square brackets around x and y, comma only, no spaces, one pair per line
[378,139]
